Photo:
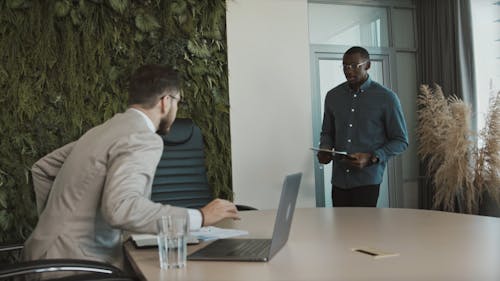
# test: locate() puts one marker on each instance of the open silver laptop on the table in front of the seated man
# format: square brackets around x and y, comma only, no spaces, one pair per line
[257,249]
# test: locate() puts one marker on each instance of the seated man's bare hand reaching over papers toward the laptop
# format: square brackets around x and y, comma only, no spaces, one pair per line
[217,210]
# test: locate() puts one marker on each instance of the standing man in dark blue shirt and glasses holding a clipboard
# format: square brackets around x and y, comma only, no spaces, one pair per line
[364,119]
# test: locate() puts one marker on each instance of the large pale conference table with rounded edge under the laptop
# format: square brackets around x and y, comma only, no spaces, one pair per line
[432,245]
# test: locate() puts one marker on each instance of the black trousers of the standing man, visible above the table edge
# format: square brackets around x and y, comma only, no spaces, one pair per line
[360,196]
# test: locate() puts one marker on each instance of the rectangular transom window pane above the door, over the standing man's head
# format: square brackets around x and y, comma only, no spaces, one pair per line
[347,25]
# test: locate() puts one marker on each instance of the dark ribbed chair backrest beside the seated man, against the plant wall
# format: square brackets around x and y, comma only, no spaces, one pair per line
[181,177]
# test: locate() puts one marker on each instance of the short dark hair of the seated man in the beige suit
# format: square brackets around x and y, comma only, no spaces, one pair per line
[149,82]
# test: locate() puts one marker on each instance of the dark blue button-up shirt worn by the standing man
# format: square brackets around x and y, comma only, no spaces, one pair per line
[371,121]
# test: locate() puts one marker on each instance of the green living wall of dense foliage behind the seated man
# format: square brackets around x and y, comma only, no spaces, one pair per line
[64,69]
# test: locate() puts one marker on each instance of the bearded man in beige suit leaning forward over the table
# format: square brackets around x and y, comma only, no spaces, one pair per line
[89,191]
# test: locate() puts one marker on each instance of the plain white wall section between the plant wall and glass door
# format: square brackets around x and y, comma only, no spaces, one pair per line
[270,97]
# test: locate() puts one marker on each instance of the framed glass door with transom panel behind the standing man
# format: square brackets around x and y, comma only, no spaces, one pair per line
[386,29]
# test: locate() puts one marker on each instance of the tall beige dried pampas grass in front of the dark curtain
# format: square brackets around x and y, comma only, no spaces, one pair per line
[460,171]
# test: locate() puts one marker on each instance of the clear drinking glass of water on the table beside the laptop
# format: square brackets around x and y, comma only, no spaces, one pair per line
[172,244]
